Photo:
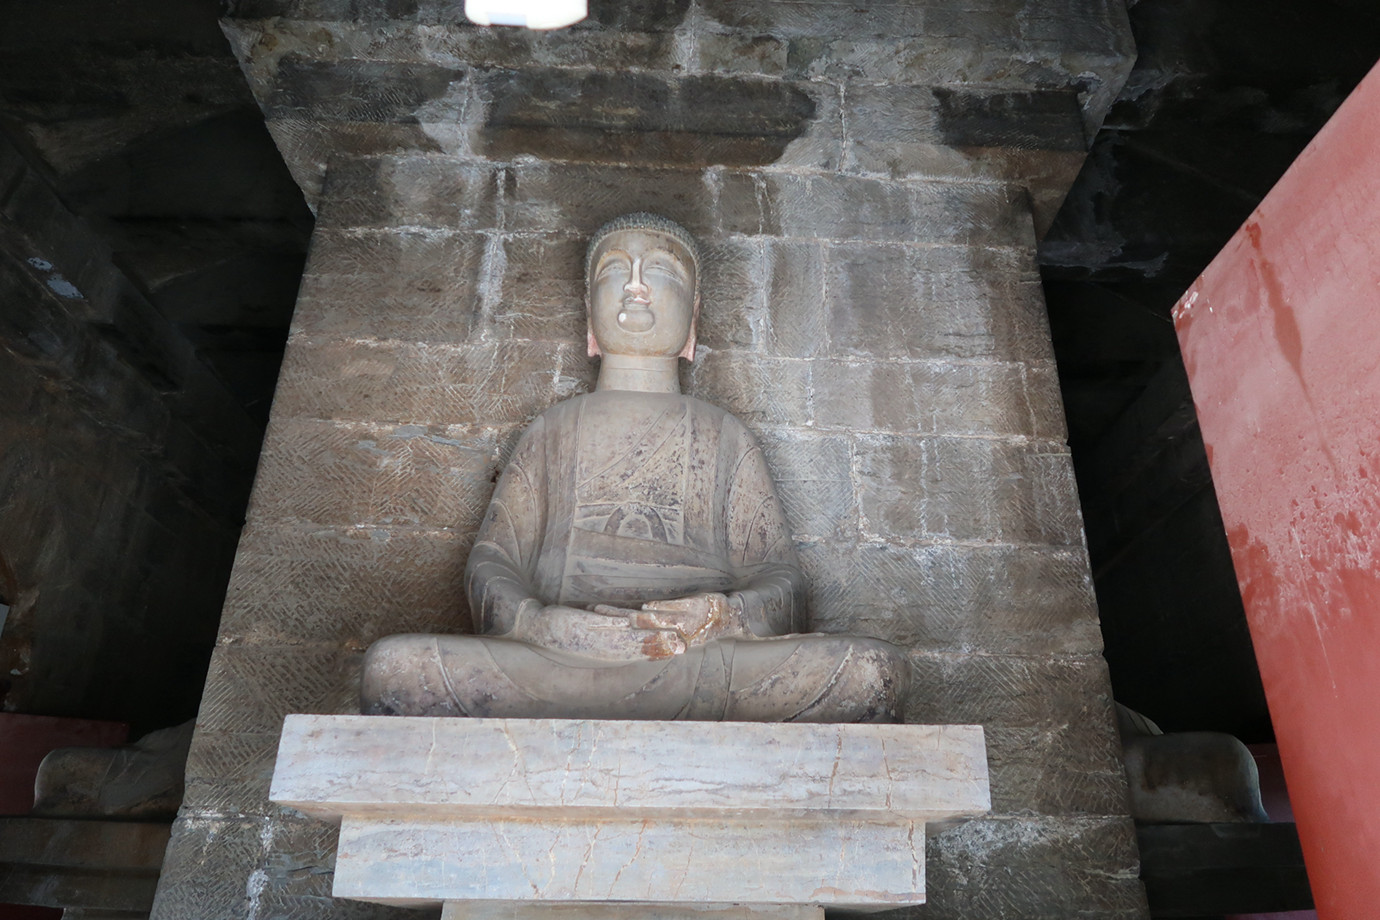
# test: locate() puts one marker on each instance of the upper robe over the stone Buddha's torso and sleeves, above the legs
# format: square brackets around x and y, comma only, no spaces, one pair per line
[622,499]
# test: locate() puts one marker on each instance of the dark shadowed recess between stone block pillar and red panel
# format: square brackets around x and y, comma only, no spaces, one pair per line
[1225,96]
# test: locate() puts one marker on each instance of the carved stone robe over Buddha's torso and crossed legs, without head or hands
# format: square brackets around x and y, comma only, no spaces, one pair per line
[622,499]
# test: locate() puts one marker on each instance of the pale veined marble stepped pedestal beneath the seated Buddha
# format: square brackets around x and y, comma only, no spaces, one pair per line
[517,819]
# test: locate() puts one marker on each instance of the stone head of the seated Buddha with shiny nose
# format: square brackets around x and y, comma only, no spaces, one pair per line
[642,289]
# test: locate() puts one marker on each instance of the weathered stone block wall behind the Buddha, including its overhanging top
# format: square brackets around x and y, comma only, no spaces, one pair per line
[869,184]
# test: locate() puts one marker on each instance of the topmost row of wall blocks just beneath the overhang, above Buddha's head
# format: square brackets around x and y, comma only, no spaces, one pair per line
[452,194]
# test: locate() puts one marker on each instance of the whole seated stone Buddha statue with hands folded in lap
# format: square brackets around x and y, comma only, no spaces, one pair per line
[635,562]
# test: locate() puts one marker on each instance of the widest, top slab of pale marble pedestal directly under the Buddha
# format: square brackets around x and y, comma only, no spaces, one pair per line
[579,769]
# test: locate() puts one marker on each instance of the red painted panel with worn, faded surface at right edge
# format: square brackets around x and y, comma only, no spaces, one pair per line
[1281,337]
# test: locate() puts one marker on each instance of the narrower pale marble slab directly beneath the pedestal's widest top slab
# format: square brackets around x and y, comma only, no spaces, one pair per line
[641,860]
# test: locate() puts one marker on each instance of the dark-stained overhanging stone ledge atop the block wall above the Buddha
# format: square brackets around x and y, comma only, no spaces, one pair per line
[1007,92]
